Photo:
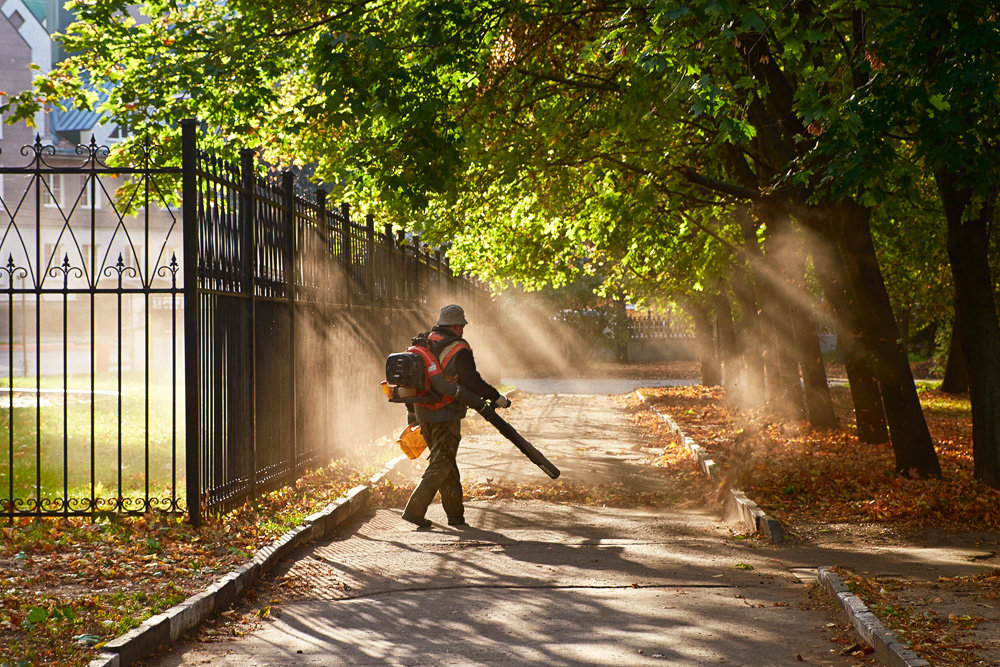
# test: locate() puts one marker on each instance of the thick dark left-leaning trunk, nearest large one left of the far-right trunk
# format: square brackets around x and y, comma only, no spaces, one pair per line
[911,440]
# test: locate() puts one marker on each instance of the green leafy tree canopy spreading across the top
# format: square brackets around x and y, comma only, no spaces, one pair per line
[550,141]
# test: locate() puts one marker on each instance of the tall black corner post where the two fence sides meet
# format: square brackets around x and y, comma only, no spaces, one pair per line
[192,372]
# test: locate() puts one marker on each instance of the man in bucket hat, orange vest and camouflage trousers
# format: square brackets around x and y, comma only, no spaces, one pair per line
[441,423]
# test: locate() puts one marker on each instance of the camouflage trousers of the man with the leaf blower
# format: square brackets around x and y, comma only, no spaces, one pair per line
[442,471]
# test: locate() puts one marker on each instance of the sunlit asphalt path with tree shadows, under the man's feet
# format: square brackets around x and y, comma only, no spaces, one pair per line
[533,582]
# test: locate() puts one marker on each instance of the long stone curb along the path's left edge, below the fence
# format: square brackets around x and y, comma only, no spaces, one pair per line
[169,625]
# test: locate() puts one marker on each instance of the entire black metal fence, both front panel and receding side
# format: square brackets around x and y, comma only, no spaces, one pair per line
[158,365]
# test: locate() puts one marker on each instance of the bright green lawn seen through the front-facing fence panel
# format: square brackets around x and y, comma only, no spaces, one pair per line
[74,445]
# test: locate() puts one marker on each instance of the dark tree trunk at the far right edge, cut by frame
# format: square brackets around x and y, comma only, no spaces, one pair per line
[968,243]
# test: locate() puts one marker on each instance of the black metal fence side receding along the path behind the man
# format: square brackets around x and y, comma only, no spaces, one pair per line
[297,305]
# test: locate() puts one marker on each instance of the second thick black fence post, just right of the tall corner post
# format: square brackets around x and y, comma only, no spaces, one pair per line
[248,228]
